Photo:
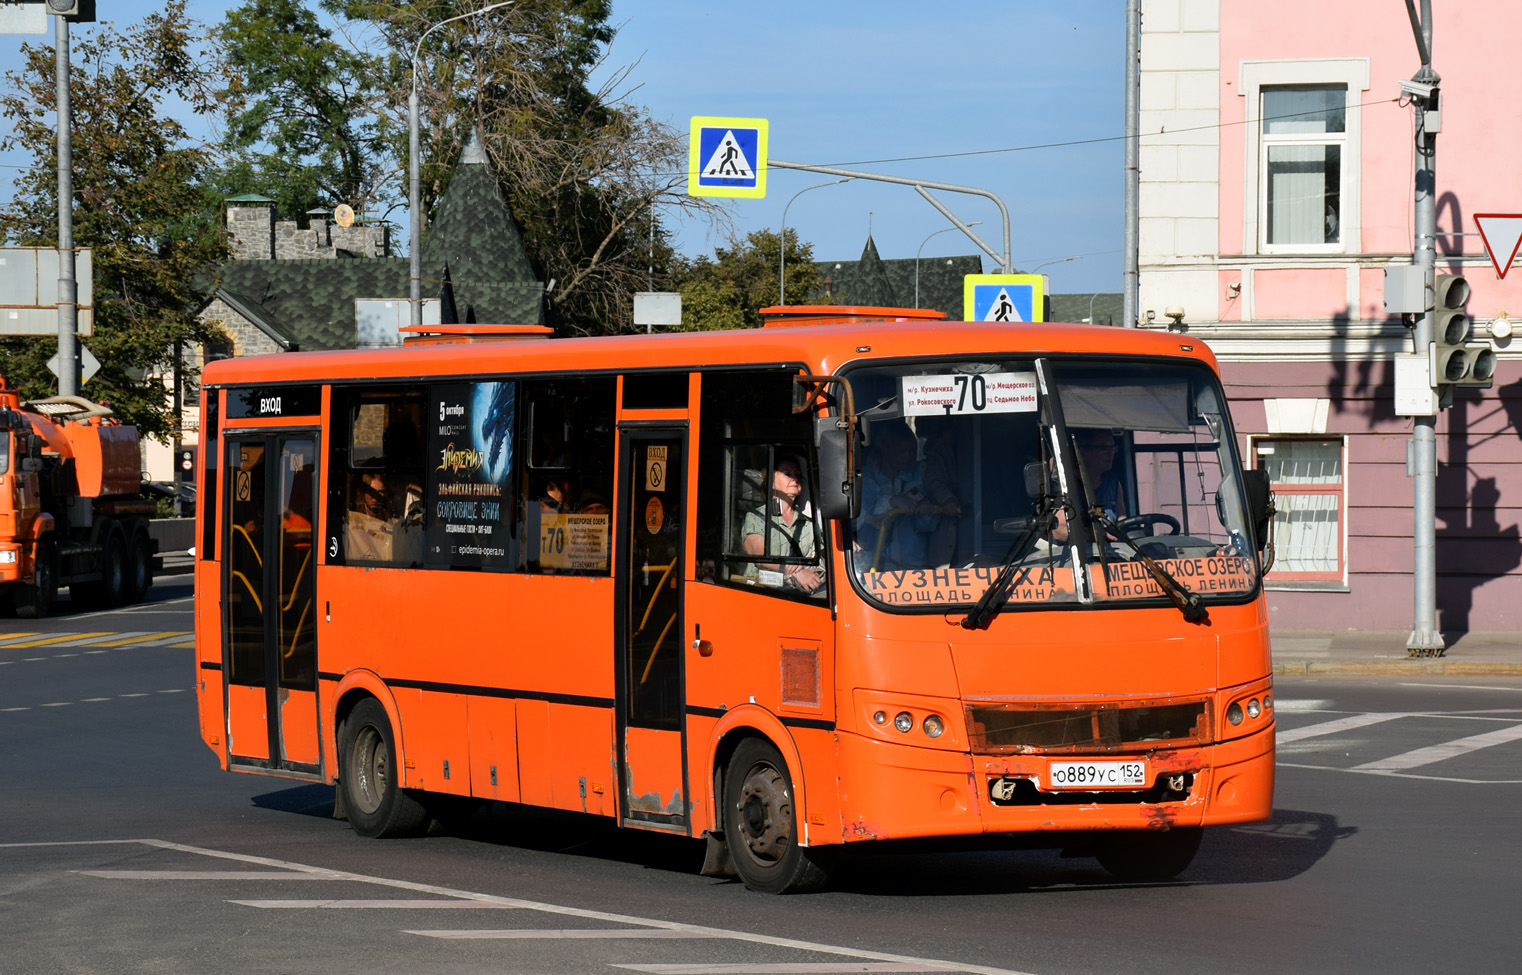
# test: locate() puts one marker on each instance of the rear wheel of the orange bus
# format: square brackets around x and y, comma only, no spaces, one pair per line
[377,805]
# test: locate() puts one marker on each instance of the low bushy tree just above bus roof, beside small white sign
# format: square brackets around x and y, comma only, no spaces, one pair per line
[730,290]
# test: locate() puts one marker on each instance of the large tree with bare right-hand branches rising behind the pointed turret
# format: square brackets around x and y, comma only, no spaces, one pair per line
[584,170]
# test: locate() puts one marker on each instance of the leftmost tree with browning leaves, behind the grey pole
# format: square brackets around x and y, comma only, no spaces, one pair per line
[138,205]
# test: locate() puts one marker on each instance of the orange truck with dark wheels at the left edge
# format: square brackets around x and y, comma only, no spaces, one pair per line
[71,512]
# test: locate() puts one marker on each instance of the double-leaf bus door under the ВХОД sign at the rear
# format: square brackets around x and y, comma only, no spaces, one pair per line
[269,588]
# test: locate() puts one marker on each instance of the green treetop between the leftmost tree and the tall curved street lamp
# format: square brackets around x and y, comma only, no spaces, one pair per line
[301,113]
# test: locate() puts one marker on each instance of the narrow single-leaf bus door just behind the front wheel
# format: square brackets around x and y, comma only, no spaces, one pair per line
[651,655]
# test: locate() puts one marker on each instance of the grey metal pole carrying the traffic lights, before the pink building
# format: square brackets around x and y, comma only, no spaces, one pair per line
[1425,640]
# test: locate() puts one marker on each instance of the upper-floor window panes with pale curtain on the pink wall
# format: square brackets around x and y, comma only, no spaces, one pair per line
[1305,130]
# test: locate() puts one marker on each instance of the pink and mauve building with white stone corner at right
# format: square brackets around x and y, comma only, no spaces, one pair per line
[1278,160]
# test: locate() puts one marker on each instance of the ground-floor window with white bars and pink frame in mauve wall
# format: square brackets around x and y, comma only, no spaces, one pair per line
[1310,492]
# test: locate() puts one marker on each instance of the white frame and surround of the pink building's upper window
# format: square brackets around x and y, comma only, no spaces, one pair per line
[1253,77]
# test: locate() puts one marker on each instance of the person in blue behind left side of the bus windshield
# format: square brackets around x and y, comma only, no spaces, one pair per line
[897,518]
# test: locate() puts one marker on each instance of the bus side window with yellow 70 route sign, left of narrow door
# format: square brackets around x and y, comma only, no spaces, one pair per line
[565,486]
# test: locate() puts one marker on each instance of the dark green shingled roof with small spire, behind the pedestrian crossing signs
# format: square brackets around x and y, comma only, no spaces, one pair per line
[891,284]
